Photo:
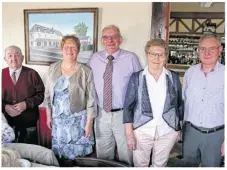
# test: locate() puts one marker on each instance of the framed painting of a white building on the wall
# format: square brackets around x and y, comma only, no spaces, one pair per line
[44,29]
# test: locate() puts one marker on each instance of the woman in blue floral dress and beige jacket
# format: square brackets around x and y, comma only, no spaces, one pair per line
[69,99]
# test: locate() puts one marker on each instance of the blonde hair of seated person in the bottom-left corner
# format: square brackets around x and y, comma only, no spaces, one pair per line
[10,158]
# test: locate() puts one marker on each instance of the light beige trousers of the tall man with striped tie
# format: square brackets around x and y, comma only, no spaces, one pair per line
[109,132]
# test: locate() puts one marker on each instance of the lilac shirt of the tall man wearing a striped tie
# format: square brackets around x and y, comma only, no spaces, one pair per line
[124,64]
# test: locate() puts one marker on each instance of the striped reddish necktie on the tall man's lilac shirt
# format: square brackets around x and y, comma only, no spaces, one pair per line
[107,91]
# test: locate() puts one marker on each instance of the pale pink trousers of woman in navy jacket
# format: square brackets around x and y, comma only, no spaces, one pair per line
[160,146]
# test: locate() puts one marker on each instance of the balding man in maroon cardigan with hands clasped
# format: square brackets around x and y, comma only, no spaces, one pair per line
[22,93]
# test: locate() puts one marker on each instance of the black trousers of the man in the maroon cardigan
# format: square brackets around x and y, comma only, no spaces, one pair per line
[26,135]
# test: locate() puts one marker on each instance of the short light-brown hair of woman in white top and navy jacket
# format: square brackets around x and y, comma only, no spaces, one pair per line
[157,42]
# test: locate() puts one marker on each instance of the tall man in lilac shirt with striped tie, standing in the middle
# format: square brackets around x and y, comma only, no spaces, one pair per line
[112,69]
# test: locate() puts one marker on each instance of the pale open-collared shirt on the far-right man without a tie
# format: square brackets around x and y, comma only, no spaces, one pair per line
[204,96]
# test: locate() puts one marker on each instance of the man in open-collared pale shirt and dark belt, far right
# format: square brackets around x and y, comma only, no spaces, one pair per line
[203,94]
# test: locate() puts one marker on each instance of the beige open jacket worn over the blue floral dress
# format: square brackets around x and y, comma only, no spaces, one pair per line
[81,88]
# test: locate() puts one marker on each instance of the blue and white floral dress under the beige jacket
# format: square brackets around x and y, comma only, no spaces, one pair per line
[68,132]
